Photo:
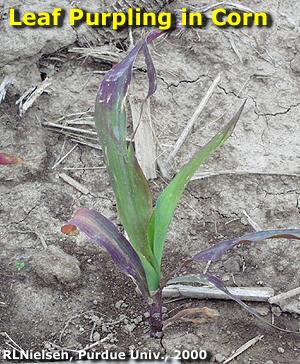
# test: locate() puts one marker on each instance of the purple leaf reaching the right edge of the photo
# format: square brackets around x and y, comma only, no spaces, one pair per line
[216,251]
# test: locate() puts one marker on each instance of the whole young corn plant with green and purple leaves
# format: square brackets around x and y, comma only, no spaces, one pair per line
[146,225]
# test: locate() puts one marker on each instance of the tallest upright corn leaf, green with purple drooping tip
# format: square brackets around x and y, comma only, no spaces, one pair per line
[134,199]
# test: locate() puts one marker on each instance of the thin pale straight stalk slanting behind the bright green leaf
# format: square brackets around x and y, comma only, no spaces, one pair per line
[186,131]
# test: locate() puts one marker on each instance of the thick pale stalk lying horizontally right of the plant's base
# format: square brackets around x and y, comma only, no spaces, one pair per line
[255,294]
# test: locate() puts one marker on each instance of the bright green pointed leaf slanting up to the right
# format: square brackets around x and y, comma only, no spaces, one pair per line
[169,198]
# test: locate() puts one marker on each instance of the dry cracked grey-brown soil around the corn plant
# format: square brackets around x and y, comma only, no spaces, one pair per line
[70,295]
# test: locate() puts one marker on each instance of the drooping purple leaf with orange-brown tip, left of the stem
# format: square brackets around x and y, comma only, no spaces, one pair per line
[103,232]
